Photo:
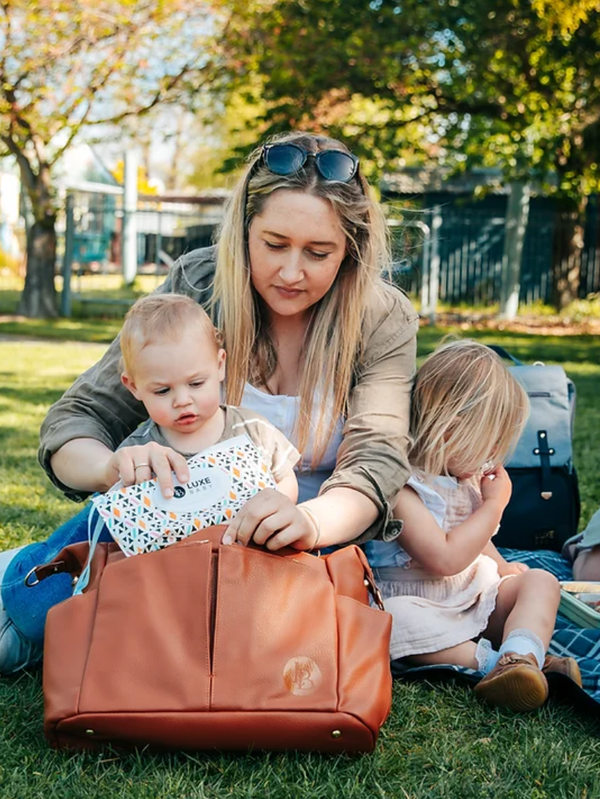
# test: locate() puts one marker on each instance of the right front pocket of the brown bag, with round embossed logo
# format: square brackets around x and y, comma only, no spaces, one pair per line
[275,641]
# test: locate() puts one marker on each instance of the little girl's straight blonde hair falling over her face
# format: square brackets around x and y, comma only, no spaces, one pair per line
[466,408]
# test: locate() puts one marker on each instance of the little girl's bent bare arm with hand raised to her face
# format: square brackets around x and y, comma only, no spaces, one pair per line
[448,554]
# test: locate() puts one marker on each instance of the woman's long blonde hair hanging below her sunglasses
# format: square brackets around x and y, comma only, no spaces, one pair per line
[333,337]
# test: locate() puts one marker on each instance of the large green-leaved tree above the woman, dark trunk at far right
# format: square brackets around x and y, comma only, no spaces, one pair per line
[513,83]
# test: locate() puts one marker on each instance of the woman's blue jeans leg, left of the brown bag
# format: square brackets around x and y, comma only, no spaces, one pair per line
[27,607]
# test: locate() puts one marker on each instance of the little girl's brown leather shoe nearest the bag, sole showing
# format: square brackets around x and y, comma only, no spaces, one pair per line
[516,682]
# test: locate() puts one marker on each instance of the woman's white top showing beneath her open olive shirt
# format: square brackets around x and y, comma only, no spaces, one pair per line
[282,411]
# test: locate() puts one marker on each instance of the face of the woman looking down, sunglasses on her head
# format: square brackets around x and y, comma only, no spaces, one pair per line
[296,248]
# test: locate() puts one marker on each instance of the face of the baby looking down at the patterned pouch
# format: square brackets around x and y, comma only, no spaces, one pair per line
[179,380]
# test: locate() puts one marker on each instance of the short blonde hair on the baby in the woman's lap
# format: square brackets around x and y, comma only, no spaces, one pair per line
[162,317]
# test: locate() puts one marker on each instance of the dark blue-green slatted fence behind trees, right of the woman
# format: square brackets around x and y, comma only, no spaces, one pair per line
[464,245]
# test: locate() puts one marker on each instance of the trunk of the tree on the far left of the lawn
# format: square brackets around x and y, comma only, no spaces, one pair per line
[39,294]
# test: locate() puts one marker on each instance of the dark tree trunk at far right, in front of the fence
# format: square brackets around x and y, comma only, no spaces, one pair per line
[567,252]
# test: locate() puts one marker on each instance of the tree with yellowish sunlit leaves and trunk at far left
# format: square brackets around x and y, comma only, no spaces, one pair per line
[68,65]
